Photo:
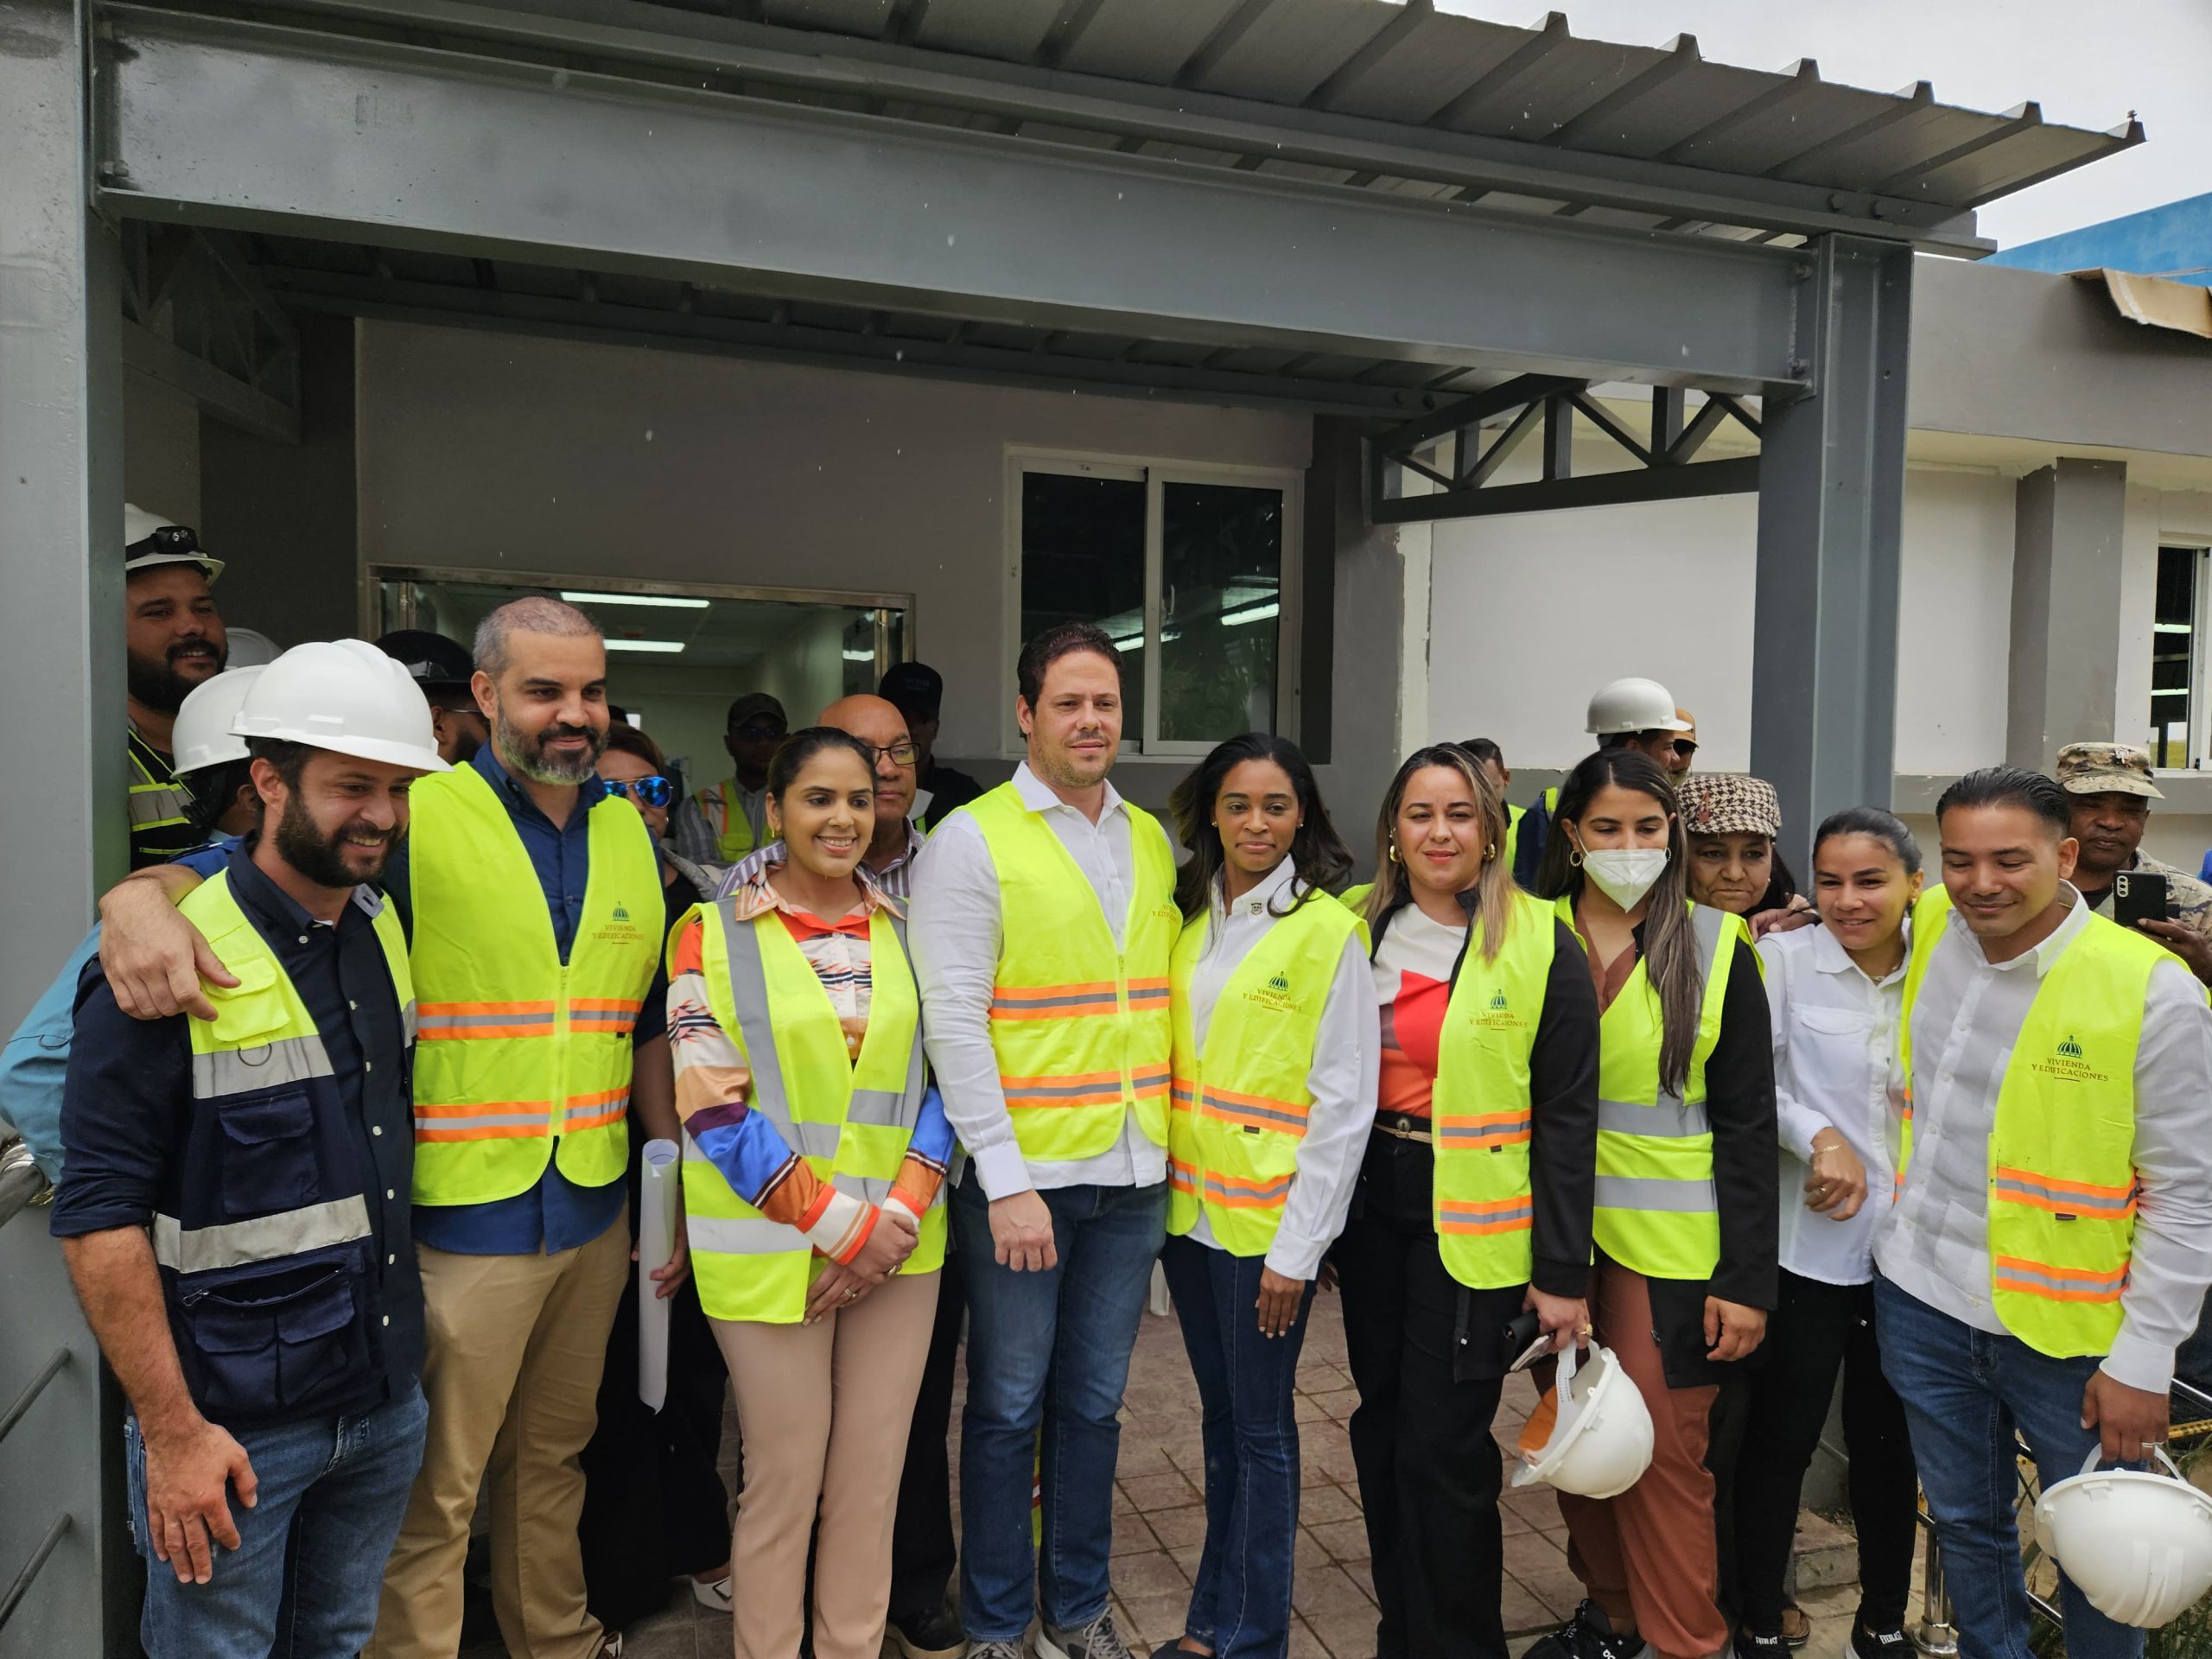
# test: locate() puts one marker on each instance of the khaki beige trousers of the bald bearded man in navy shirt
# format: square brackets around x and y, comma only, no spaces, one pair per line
[514,1348]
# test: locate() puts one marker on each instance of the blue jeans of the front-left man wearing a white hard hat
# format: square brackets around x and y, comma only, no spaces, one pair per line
[311,1554]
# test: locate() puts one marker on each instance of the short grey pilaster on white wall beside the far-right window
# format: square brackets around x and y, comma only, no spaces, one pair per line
[2065,676]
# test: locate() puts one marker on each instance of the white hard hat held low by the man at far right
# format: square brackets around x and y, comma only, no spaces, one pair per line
[2136,1543]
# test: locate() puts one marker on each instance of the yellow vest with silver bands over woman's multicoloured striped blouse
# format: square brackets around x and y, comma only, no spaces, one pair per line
[848,1118]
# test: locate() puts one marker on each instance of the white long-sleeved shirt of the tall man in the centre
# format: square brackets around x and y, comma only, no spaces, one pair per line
[954,932]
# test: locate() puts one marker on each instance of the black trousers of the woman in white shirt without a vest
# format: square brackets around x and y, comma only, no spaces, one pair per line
[1815,1333]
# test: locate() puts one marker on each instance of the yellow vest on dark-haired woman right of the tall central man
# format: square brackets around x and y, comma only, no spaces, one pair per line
[1240,1100]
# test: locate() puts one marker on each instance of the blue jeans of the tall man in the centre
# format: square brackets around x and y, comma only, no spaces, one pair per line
[1047,1348]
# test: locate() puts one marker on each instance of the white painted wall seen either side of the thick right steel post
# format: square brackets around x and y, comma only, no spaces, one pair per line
[1667,592]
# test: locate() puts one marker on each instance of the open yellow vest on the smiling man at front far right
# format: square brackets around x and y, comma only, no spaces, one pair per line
[2063,1145]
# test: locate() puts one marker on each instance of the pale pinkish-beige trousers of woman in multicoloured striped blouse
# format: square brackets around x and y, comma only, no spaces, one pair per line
[824,1412]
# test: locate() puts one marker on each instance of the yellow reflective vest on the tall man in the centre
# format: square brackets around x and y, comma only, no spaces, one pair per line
[1081,1025]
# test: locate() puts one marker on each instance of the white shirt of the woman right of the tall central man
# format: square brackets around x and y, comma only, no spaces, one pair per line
[1348,1050]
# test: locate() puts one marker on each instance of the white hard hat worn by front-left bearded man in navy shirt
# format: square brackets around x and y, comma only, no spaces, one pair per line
[348,698]
